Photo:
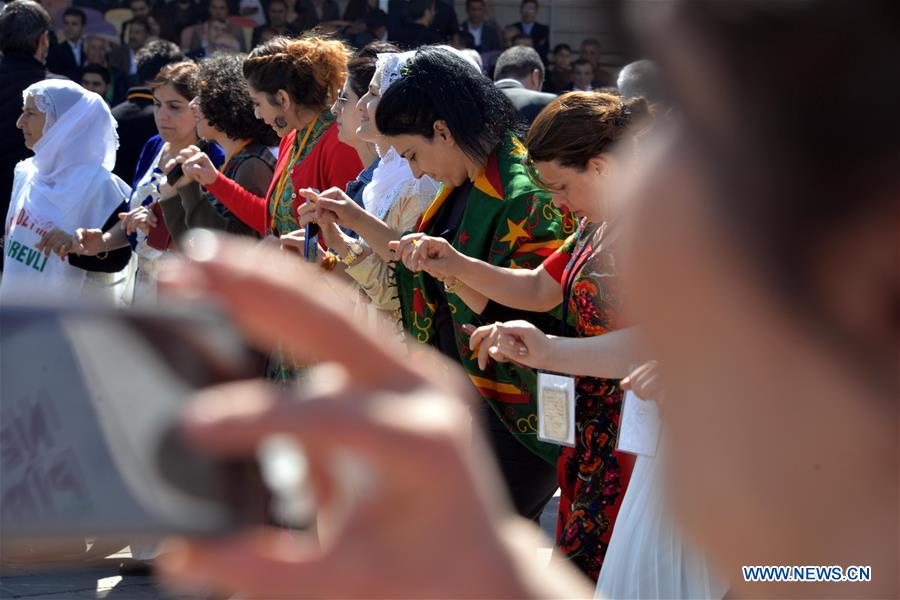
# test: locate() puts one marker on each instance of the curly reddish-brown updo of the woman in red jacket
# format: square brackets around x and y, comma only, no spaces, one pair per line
[311,69]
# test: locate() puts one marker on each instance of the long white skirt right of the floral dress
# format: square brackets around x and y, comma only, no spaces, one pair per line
[648,557]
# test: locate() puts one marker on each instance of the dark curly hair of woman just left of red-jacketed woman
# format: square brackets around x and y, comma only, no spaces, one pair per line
[225,100]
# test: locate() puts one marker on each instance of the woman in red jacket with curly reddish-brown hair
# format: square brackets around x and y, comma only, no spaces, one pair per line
[292,82]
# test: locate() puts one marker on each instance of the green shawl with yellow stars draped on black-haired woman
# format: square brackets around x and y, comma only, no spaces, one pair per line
[508,221]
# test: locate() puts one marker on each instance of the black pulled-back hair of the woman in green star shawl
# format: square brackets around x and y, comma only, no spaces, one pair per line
[439,85]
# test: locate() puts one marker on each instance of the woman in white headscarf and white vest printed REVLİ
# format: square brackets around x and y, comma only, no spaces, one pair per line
[67,184]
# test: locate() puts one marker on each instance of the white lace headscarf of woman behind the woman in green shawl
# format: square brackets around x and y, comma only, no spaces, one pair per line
[393,178]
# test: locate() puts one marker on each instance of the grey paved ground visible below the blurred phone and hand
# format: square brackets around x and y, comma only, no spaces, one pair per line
[104,581]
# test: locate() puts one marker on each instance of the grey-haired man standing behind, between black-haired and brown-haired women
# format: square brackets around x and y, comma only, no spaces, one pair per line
[520,75]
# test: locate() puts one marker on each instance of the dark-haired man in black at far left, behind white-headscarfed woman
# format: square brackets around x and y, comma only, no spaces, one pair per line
[24,43]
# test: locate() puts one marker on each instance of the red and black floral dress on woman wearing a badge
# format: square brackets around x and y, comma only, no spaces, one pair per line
[592,476]
